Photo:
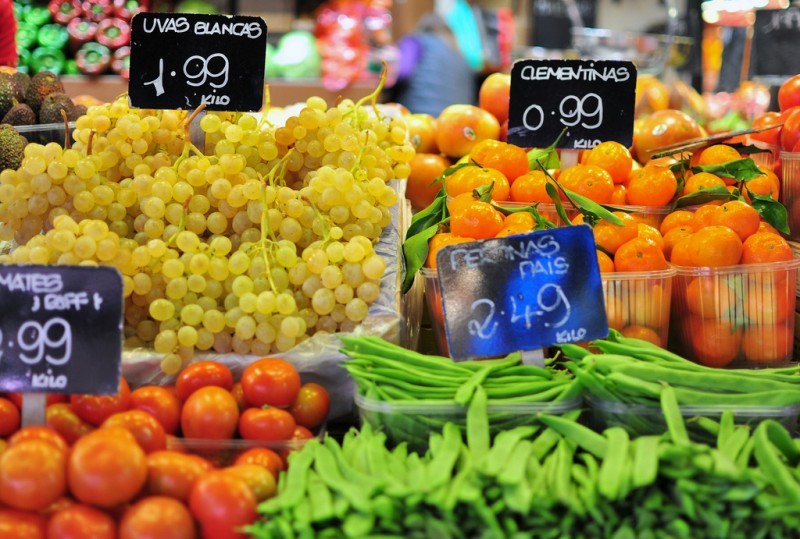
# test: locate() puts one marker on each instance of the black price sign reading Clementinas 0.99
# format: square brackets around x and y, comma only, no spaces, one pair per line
[593,99]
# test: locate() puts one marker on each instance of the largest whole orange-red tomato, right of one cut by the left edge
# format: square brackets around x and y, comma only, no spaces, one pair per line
[107,467]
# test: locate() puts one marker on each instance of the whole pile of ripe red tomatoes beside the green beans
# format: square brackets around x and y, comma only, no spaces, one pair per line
[122,465]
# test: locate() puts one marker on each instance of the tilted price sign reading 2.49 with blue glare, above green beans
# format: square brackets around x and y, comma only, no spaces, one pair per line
[521,292]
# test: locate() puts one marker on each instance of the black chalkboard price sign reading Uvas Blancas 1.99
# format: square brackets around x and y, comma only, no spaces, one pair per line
[180,60]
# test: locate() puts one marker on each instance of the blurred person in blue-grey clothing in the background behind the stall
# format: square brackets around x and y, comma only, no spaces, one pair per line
[433,72]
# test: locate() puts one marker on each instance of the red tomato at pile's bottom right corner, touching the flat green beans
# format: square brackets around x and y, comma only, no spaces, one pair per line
[222,503]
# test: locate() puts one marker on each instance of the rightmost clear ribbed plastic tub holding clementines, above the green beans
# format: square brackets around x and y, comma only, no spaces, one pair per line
[735,316]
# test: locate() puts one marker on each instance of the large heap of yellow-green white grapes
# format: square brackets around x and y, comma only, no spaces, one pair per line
[250,245]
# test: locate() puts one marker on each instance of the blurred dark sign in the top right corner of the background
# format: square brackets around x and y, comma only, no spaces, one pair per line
[776,36]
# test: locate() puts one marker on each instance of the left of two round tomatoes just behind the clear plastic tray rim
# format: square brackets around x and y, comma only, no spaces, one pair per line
[210,412]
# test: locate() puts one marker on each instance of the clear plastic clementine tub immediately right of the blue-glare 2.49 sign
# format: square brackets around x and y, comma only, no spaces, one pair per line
[638,303]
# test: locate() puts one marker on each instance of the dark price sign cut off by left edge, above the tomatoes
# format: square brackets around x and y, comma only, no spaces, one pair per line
[60,329]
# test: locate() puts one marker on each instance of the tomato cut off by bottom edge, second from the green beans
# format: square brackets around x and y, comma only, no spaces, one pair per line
[157,517]
